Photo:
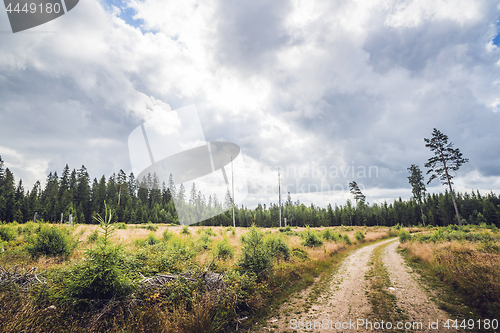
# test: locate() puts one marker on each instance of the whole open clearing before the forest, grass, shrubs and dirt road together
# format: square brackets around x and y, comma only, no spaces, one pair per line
[159,278]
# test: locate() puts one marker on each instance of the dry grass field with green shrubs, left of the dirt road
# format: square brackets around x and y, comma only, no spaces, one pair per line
[145,278]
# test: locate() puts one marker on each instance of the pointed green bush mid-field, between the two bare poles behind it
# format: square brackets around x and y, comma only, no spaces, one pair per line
[255,258]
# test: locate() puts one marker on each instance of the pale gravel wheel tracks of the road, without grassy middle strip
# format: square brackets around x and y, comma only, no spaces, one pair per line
[344,305]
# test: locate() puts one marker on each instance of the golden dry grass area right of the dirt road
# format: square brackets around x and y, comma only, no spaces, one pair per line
[467,263]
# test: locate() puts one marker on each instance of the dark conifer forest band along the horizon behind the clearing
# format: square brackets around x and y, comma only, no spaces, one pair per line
[74,192]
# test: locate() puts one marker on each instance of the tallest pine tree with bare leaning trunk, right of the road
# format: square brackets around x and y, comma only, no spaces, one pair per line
[445,159]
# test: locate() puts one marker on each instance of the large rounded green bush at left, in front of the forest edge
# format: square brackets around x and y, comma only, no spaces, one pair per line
[51,241]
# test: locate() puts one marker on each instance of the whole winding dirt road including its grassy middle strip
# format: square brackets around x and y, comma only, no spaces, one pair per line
[372,290]
